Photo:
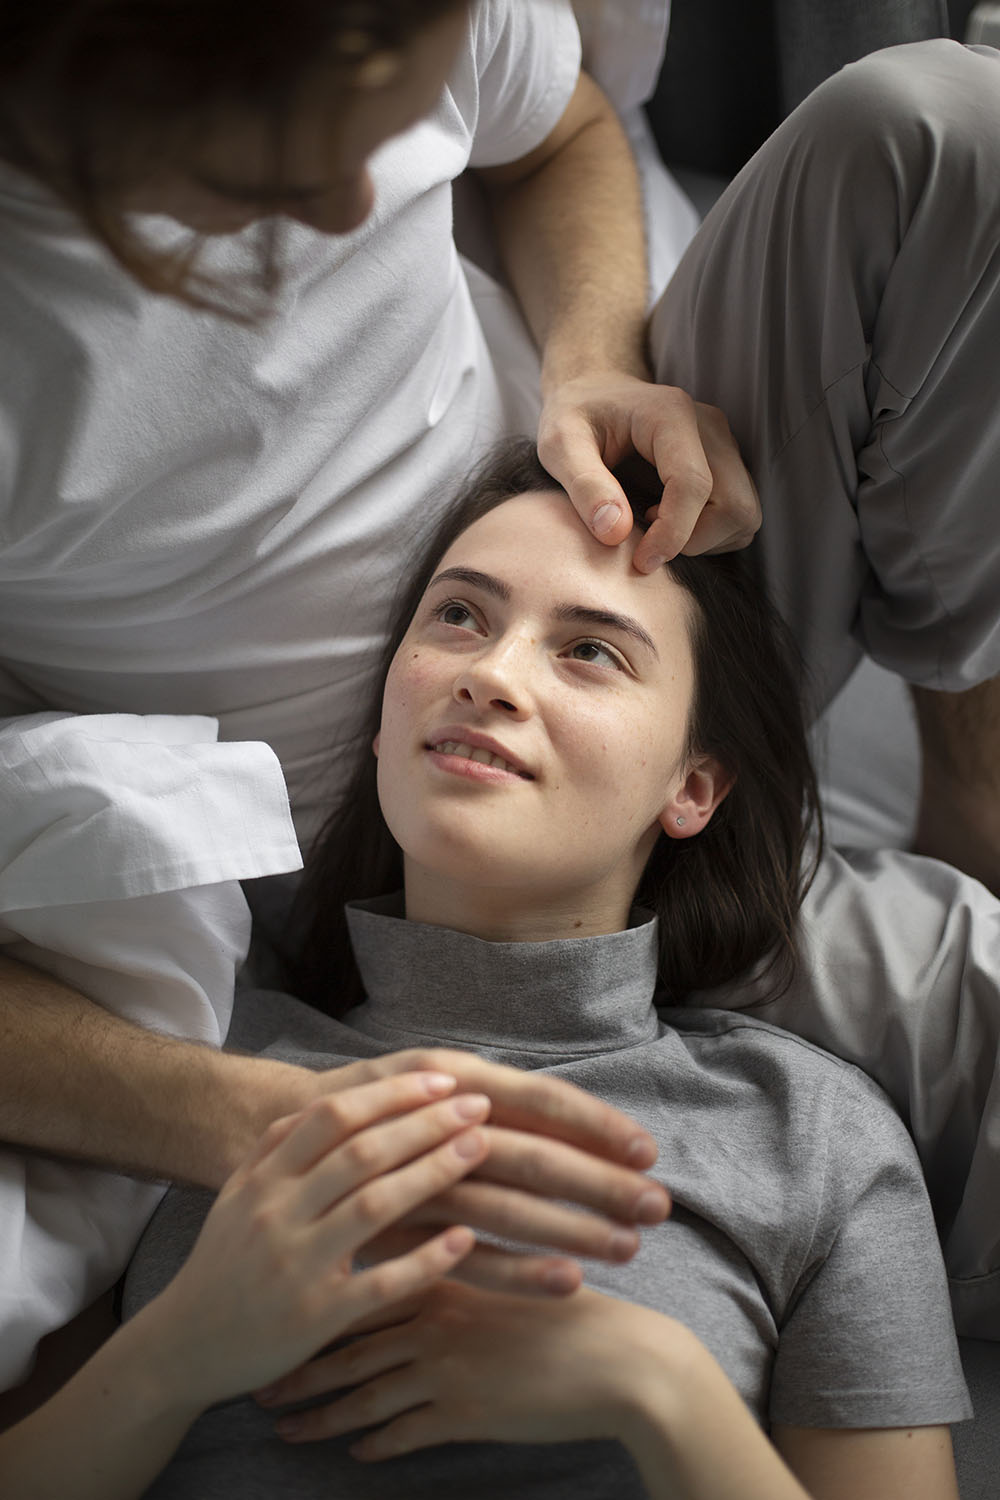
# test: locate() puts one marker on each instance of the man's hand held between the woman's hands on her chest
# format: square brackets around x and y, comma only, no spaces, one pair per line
[548,1141]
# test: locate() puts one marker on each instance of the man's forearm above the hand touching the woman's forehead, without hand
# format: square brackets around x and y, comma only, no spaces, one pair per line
[573,245]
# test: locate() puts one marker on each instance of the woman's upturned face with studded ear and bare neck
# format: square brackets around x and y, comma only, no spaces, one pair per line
[534,724]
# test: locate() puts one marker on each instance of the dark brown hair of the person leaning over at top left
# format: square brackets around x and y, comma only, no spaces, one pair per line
[118,89]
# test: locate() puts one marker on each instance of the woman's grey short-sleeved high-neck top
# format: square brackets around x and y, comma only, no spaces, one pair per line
[801,1247]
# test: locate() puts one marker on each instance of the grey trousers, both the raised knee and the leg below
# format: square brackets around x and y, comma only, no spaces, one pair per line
[842,305]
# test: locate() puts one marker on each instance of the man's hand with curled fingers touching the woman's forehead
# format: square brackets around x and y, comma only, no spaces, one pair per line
[593,424]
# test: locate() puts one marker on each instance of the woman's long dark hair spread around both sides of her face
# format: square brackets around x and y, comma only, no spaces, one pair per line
[728,898]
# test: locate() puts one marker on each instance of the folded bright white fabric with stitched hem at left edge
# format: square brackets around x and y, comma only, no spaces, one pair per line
[109,806]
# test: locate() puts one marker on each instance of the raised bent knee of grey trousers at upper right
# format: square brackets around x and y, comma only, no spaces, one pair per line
[842,305]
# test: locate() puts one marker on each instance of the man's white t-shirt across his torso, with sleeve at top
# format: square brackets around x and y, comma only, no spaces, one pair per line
[202,518]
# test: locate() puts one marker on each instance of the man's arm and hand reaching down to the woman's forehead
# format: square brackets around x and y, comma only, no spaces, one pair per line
[569,223]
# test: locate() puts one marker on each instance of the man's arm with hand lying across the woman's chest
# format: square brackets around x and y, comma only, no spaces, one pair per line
[89,1085]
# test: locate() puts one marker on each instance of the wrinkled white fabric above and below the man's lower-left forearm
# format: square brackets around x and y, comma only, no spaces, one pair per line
[134,899]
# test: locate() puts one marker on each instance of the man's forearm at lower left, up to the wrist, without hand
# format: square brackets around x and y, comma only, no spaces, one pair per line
[80,1082]
